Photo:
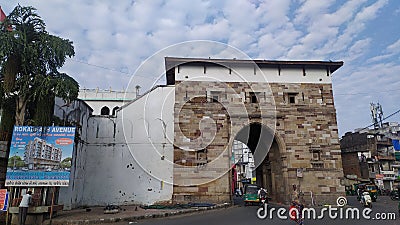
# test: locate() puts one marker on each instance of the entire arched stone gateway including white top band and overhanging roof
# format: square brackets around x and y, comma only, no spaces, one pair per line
[283,110]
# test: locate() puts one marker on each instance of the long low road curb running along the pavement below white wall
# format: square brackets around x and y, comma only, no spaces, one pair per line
[136,218]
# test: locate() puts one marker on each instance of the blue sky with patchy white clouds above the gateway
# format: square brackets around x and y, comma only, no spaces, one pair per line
[113,38]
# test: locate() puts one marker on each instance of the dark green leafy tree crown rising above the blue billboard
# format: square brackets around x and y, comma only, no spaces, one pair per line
[29,61]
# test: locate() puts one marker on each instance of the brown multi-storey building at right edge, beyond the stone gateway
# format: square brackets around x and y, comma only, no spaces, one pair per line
[369,156]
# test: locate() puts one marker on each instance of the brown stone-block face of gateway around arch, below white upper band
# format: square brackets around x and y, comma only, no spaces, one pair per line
[302,116]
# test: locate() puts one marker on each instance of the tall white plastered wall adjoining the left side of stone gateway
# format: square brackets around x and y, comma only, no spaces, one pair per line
[127,159]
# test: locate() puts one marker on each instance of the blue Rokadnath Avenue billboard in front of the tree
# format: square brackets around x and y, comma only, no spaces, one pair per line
[40,156]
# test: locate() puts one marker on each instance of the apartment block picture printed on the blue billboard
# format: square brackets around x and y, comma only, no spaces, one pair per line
[41,155]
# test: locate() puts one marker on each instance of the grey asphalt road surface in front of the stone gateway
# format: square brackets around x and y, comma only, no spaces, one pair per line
[240,214]
